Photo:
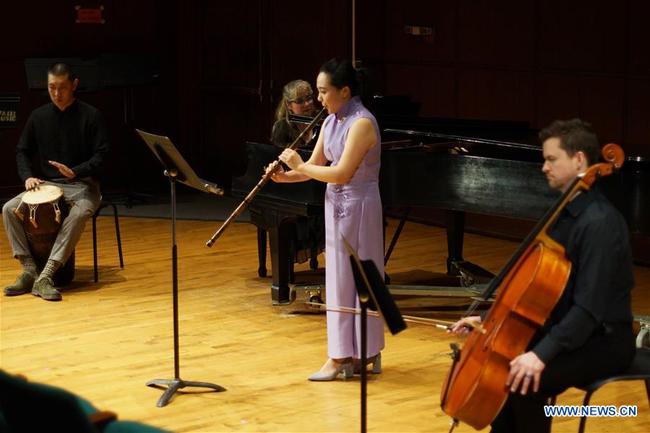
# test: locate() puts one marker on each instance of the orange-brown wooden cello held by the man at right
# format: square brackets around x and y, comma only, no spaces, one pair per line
[527,288]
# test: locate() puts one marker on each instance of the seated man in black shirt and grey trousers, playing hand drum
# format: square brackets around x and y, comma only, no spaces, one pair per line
[68,140]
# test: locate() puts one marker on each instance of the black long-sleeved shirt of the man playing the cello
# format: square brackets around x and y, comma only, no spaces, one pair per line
[596,239]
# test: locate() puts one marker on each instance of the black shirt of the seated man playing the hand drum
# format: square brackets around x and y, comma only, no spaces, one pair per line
[75,137]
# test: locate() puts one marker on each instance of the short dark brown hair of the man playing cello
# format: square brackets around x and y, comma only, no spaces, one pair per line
[575,135]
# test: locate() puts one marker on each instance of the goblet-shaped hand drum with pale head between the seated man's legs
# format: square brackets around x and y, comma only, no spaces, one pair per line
[42,211]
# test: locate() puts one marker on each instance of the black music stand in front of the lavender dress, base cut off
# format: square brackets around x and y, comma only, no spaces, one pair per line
[373,293]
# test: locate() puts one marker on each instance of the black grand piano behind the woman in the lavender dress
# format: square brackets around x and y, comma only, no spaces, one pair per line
[453,166]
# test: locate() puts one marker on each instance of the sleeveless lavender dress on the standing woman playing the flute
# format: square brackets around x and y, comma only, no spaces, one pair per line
[353,211]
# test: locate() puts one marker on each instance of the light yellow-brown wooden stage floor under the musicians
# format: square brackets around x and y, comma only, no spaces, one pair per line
[105,340]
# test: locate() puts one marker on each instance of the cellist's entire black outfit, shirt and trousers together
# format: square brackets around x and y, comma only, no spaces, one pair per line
[589,333]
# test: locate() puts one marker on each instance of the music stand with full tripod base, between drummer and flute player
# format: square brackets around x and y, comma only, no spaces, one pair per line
[176,169]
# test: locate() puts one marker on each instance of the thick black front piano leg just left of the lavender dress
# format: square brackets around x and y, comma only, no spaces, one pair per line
[281,263]
